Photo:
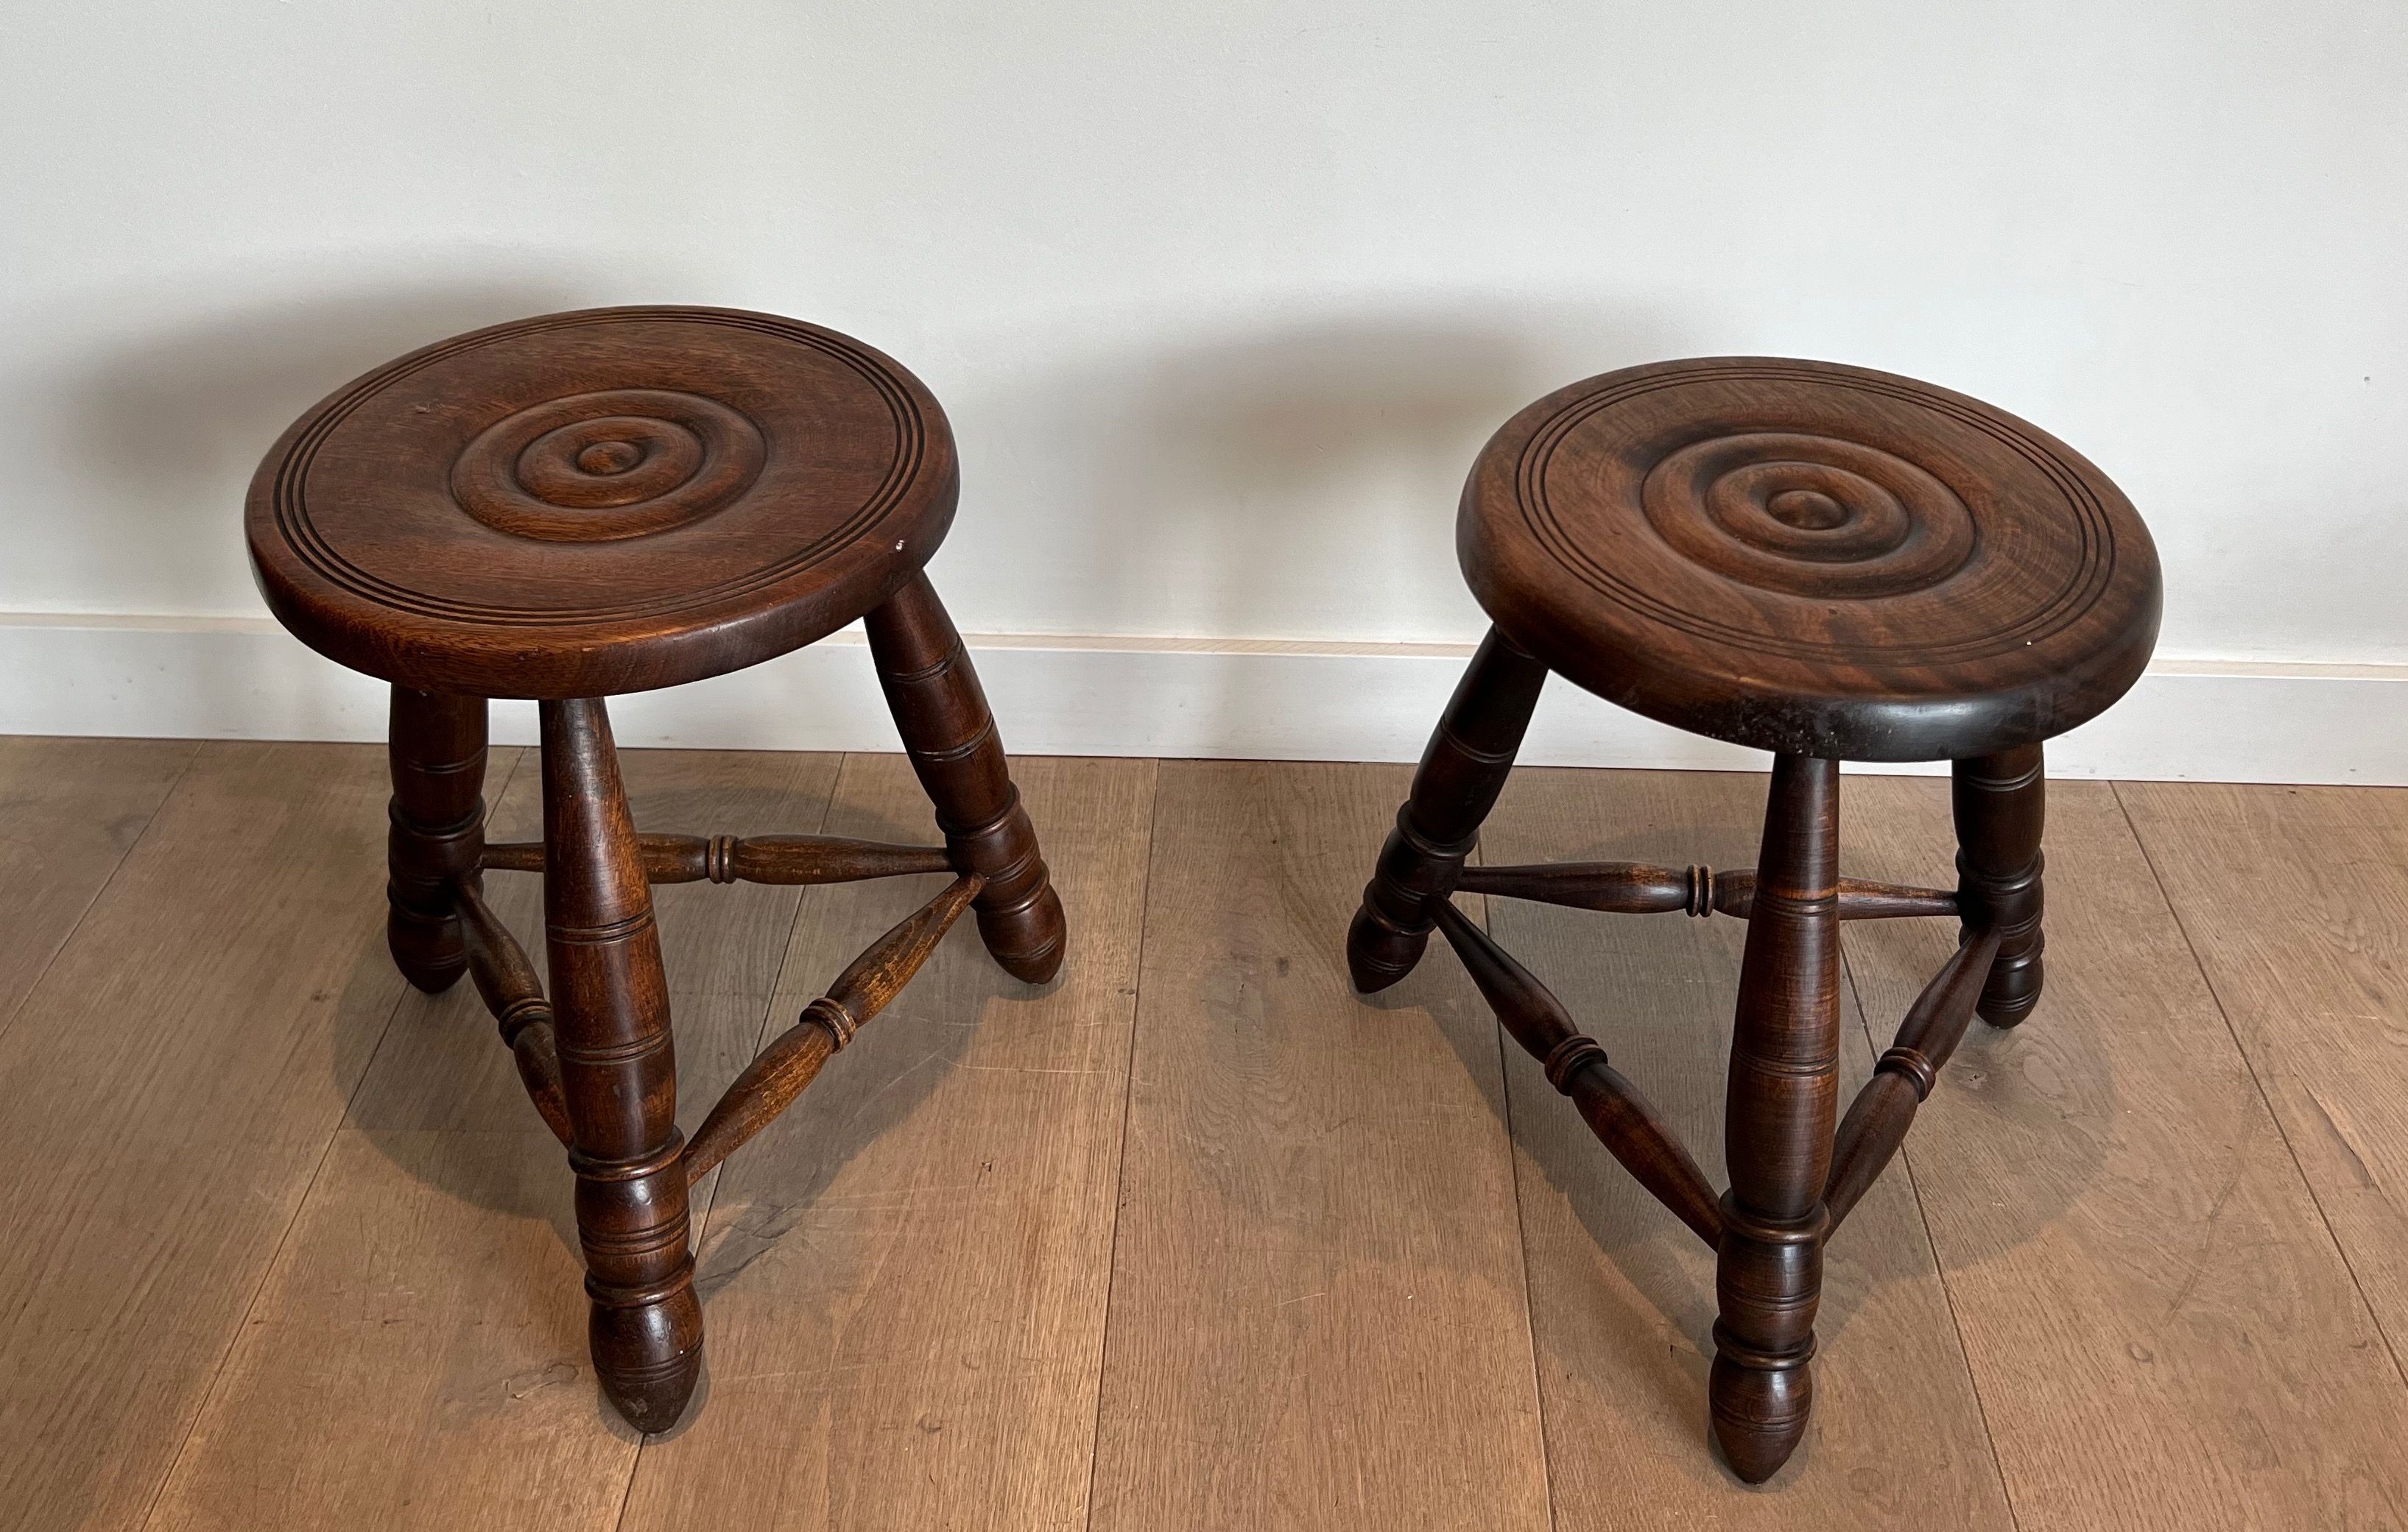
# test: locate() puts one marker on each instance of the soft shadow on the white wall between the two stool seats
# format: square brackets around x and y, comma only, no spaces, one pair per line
[1289,481]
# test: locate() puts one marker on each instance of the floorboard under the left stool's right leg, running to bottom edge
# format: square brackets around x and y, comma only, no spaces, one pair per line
[907,1275]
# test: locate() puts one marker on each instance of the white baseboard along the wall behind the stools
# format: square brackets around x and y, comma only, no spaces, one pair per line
[1147,697]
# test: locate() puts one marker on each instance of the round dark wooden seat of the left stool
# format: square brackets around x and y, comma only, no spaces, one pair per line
[601,502]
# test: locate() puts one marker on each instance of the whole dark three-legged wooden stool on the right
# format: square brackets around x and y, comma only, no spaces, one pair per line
[1829,565]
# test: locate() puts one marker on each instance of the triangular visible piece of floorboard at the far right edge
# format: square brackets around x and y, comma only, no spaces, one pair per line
[2296,902]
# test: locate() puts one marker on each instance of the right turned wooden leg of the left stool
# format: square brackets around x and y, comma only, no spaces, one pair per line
[955,748]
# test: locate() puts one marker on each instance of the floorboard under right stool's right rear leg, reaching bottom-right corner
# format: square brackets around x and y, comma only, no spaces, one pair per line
[2159,1324]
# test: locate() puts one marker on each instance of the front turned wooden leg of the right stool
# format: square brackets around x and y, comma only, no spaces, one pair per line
[1778,1129]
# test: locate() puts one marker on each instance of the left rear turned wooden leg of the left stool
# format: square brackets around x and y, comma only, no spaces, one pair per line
[437,750]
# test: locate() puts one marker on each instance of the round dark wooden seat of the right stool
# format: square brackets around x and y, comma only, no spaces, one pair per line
[1812,560]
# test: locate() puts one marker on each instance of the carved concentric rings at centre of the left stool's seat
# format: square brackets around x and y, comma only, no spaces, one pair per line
[608,464]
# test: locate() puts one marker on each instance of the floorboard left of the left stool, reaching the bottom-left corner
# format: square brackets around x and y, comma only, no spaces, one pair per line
[172,1085]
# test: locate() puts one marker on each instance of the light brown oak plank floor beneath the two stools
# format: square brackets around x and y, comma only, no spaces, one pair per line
[1196,1237]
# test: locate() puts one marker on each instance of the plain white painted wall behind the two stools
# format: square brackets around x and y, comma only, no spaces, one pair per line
[1220,297]
